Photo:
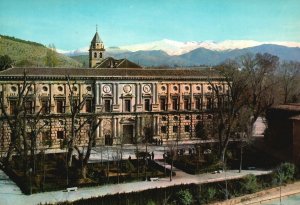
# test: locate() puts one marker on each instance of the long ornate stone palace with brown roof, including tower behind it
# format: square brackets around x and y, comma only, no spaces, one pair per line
[132,104]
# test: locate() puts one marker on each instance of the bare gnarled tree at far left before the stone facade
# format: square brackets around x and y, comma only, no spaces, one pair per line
[24,123]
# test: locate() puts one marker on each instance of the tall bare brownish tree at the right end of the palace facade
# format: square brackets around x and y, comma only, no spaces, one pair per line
[230,103]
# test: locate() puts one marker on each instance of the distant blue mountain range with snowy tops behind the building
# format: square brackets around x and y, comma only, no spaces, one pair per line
[176,54]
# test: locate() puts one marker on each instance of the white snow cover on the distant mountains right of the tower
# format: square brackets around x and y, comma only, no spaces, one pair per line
[178,48]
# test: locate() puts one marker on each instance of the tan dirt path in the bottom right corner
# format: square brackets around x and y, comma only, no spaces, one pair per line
[264,196]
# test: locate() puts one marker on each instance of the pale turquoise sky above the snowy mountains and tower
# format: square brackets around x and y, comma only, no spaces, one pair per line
[71,24]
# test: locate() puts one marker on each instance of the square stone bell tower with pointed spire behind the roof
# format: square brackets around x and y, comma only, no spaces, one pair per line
[96,52]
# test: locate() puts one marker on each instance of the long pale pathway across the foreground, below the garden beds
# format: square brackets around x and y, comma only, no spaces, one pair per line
[11,194]
